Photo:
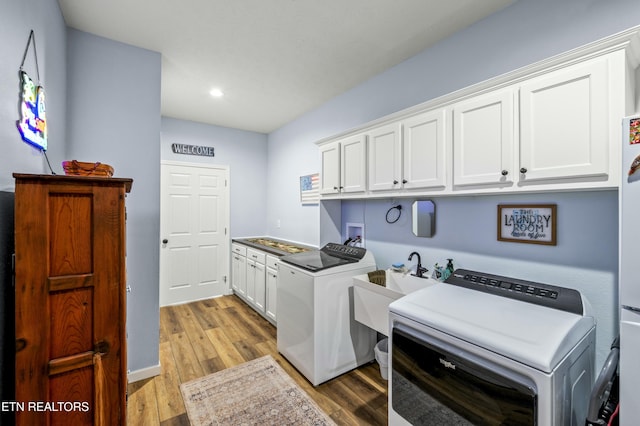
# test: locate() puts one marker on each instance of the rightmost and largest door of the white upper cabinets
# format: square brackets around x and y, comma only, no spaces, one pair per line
[564,123]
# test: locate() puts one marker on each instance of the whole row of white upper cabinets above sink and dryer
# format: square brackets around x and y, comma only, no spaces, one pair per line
[551,126]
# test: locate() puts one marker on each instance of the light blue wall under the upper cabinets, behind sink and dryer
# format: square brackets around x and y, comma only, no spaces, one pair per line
[585,257]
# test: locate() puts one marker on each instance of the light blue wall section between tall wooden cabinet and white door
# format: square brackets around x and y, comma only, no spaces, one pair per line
[114,117]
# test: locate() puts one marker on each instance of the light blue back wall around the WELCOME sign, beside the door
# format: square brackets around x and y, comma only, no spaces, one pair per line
[245,153]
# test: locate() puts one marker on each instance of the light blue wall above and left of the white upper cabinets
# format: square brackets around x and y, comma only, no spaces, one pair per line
[528,31]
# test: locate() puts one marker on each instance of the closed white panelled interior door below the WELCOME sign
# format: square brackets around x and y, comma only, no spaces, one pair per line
[194,245]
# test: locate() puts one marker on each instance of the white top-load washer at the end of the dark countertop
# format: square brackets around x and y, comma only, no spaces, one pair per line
[317,332]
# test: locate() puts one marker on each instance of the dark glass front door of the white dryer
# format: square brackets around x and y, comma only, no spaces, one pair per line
[434,383]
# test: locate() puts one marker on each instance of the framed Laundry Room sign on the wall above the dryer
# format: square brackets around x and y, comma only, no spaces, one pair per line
[527,223]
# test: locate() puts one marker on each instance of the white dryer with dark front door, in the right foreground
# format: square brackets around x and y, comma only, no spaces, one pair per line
[487,349]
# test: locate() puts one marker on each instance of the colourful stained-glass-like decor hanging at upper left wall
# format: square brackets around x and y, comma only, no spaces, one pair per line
[32,124]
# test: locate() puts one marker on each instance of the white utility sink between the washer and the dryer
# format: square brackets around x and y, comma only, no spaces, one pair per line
[371,301]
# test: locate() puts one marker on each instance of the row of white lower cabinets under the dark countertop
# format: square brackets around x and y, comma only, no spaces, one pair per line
[254,275]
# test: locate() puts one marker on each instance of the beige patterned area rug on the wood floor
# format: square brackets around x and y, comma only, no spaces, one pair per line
[258,392]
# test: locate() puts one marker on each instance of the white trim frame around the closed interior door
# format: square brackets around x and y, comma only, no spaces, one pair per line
[227,241]
